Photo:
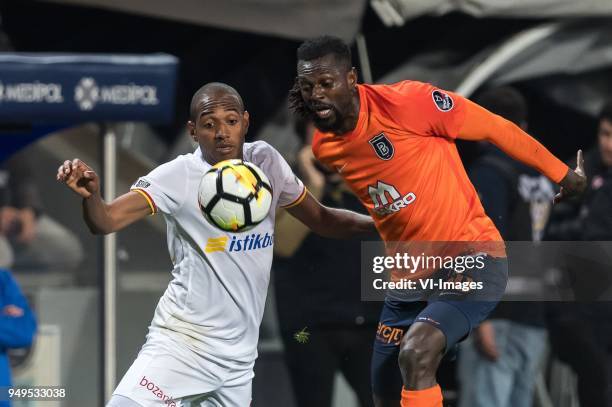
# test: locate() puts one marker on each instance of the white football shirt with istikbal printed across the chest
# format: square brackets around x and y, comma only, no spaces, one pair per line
[215,301]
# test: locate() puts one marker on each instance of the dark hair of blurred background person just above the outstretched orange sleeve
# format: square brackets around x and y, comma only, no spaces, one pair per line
[505,101]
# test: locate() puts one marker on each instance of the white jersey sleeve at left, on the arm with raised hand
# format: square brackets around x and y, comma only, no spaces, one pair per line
[164,187]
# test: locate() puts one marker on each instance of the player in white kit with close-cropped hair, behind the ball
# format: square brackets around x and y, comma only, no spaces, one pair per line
[202,341]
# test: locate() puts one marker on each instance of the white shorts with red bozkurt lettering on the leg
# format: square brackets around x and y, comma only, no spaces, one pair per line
[167,373]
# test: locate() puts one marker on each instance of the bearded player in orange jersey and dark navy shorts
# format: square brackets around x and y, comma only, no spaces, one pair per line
[395,147]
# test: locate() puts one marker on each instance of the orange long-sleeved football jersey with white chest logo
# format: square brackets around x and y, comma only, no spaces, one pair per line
[402,162]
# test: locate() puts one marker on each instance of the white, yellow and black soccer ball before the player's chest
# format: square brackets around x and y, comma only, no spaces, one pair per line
[235,195]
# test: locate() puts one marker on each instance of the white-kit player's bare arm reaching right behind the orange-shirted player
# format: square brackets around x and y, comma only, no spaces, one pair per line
[332,222]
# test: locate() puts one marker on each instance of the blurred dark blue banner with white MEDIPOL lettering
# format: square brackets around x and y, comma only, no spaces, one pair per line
[75,88]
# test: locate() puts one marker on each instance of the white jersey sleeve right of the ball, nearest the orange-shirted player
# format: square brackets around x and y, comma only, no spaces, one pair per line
[286,185]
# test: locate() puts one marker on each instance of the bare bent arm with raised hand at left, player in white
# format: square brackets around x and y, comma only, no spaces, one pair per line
[101,218]
